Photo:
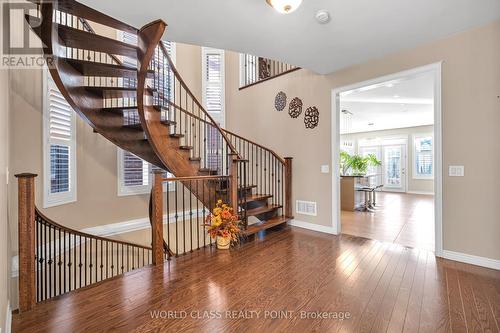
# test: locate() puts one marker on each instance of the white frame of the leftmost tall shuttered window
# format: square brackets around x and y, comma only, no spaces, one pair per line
[62,198]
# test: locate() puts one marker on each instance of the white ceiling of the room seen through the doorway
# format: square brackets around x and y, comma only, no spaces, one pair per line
[394,104]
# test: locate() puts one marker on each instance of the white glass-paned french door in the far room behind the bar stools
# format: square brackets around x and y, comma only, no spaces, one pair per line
[394,167]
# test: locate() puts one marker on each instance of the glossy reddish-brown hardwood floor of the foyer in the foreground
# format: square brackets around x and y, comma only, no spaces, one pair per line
[382,287]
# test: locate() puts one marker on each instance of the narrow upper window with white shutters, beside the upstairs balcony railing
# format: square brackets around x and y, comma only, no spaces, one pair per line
[213,82]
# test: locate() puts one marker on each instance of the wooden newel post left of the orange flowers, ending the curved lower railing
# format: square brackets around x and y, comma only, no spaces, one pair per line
[157,219]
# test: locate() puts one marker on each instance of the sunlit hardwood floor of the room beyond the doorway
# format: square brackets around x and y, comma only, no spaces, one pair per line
[405,219]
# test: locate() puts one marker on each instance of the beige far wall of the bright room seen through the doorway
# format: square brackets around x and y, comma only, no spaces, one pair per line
[413,185]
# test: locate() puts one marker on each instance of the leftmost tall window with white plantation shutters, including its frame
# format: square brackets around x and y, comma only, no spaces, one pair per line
[59,147]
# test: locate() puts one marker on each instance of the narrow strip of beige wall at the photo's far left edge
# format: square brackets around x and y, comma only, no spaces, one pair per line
[5,250]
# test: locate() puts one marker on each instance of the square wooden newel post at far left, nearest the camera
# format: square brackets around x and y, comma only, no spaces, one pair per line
[26,240]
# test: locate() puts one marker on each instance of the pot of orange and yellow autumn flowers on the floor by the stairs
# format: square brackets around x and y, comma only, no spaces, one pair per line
[222,224]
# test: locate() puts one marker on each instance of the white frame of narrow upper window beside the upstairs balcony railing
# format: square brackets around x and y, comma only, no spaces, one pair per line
[218,116]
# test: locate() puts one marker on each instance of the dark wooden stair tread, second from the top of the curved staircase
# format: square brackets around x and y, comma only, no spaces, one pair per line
[88,41]
